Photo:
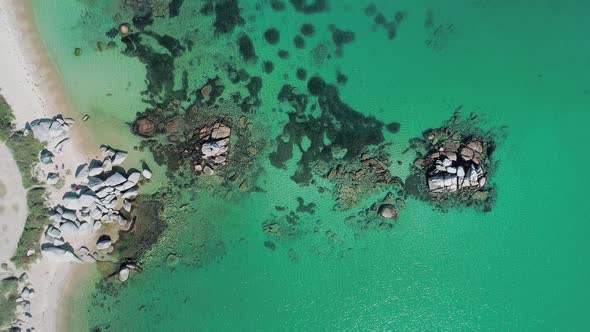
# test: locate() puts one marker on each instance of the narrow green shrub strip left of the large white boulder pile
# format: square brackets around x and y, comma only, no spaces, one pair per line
[36,222]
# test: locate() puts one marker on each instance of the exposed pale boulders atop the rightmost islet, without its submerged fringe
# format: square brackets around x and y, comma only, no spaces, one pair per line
[456,166]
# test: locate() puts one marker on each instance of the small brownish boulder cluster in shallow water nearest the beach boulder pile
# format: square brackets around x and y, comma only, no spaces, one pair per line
[212,148]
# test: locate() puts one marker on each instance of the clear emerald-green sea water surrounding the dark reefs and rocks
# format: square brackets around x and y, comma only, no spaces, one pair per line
[523,266]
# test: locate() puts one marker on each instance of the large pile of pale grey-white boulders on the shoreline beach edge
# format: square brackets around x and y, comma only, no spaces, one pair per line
[103,195]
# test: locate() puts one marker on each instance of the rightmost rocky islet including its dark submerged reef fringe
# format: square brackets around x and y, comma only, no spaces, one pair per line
[454,165]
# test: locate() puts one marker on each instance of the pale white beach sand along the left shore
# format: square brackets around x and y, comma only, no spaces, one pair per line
[31,85]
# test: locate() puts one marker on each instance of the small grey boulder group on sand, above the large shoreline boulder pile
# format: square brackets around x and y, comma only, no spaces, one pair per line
[52,131]
